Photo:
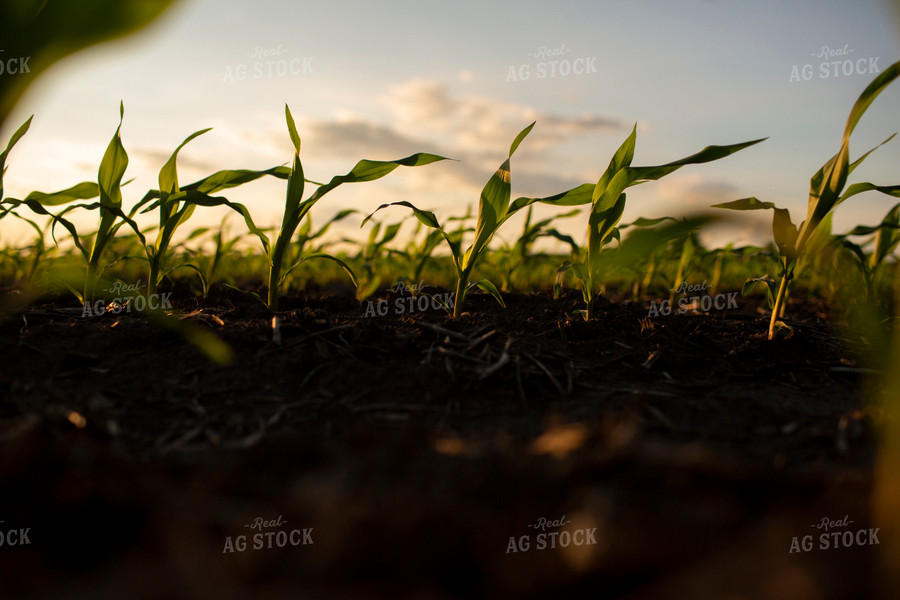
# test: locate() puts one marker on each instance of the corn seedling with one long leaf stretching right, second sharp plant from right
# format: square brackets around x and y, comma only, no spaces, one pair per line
[608,204]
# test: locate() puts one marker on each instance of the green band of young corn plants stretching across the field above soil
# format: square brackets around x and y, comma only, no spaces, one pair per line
[647,259]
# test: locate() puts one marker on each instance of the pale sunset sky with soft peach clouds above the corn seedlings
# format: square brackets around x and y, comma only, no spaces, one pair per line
[384,80]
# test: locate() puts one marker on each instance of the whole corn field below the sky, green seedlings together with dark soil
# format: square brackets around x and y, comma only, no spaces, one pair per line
[425,412]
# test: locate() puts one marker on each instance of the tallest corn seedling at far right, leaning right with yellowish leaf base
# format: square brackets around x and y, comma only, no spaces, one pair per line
[826,192]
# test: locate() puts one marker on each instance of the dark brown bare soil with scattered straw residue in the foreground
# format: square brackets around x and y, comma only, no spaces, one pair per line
[413,456]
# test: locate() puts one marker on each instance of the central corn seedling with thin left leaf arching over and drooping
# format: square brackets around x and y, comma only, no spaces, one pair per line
[494,209]
